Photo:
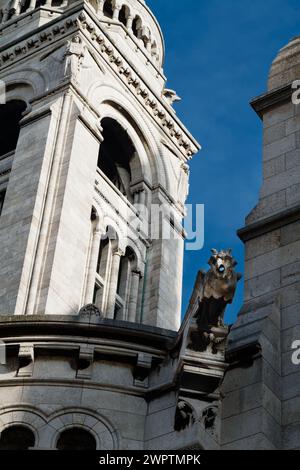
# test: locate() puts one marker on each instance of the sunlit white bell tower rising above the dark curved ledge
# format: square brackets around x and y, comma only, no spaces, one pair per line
[92,154]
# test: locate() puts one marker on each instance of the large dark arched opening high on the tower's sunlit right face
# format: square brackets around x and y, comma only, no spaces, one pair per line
[115,156]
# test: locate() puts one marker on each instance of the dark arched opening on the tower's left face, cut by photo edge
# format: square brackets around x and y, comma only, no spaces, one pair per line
[10,116]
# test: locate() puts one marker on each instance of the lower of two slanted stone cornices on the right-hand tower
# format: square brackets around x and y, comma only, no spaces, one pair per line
[269,224]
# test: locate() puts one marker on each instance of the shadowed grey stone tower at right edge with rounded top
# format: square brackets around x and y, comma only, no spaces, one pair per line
[262,386]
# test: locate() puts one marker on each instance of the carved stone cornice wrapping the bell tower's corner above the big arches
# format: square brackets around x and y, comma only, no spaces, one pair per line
[64,26]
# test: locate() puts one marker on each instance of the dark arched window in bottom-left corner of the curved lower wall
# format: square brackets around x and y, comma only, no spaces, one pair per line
[17,438]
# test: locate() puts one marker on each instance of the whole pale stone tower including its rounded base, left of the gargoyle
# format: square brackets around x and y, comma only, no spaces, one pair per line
[90,282]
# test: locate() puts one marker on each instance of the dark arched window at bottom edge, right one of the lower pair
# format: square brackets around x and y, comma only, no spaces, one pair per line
[76,439]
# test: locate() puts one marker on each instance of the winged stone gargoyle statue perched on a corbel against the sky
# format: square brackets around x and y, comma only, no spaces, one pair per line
[216,289]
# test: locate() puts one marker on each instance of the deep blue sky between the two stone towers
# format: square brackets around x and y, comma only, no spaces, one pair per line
[218,54]
